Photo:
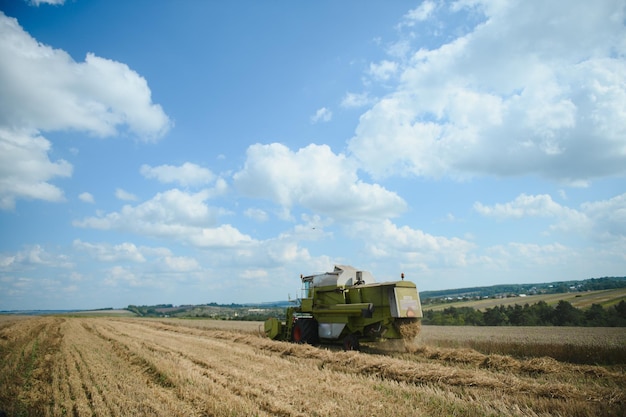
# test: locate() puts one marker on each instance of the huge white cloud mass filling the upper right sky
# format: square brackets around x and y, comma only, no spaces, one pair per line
[528,90]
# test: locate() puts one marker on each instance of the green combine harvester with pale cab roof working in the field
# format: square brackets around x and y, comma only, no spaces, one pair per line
[347,306]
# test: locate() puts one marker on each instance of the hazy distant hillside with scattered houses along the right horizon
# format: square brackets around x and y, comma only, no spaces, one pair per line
[592,284]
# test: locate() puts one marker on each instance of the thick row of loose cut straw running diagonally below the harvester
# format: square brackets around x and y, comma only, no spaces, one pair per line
[482,371]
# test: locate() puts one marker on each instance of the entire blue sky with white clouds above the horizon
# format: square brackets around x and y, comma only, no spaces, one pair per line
[192,152]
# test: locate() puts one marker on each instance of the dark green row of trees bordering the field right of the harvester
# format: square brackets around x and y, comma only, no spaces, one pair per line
[538,314]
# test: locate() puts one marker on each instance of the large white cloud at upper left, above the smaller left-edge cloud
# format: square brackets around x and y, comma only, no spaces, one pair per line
[97,96]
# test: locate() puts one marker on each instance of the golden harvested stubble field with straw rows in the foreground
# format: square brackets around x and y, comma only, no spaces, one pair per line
[56,366]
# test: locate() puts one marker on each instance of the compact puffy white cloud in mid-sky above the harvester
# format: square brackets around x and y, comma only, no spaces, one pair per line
[315,178]
